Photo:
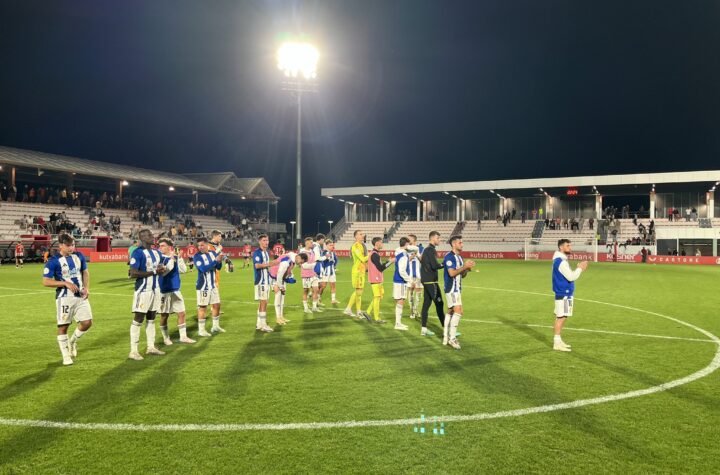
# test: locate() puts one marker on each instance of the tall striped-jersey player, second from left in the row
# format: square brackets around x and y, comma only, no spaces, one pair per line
[146,267]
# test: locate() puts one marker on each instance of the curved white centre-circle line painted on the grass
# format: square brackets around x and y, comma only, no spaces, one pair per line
[710,368]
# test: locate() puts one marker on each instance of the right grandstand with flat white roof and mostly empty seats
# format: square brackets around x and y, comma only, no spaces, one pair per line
[666,213]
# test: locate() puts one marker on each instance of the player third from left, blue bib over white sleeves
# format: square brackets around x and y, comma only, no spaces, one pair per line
[172,300]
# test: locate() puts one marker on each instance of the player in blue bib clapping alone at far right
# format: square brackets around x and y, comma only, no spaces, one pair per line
[564,288]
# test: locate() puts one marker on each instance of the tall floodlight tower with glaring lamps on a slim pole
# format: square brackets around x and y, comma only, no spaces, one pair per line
[298,62]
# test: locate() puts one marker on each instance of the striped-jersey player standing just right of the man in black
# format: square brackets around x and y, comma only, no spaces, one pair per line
[455,270]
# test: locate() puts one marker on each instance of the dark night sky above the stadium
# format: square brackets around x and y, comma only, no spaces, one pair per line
[410,90]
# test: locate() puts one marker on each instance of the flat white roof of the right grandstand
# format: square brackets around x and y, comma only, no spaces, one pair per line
[631,184]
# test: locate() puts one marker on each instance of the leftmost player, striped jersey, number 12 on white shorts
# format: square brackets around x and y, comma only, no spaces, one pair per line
[67,272]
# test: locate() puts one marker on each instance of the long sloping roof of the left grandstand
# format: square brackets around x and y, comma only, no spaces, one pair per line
[227,182]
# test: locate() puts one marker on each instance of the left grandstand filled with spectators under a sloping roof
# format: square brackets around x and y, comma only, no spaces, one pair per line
[105,204]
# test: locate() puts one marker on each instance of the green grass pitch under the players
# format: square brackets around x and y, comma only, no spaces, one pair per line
[331,368]
